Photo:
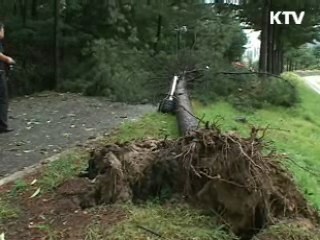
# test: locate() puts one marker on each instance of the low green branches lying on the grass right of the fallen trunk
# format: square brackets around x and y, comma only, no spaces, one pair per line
[247,92]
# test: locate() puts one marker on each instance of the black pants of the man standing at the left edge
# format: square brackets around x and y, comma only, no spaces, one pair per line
[4,102]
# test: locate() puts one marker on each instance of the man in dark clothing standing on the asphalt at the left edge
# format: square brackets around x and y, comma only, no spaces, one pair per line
[4,101]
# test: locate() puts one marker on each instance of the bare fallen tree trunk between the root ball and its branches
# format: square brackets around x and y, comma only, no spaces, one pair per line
[185,117]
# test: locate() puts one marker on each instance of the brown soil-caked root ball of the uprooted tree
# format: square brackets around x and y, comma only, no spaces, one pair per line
[224,173]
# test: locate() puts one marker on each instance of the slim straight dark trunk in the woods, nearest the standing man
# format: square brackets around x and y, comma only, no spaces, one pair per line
[56,43]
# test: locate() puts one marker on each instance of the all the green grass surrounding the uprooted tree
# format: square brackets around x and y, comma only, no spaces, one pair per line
[291,131]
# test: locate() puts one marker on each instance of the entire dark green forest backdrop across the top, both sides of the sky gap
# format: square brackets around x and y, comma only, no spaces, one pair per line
[127,50]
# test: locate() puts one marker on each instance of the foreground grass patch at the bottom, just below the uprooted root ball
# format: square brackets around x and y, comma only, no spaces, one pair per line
[174,222]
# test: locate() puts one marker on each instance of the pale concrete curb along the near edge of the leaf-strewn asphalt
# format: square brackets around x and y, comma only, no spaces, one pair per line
[32,169]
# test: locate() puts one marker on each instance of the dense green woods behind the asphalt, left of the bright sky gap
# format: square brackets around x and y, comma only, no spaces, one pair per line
[116,49]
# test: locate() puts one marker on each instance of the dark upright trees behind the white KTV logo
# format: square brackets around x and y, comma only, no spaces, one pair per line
[276,40]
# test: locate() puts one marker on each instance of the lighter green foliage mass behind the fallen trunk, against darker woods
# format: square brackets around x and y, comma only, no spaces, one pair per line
[126,71]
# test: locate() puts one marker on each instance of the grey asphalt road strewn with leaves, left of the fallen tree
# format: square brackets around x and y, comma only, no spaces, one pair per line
[47,124]
